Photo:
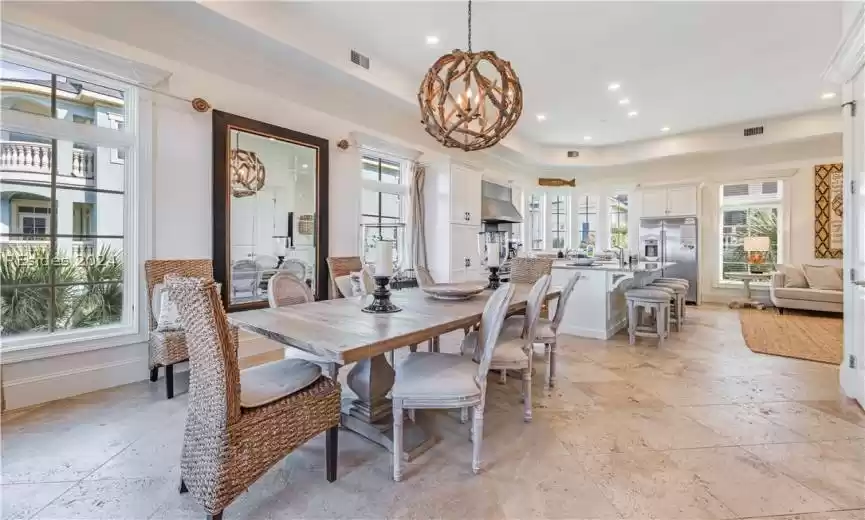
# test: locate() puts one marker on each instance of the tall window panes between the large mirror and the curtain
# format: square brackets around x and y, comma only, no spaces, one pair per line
[383,202]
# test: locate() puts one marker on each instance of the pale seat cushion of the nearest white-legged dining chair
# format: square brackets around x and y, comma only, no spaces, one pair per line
[429,375]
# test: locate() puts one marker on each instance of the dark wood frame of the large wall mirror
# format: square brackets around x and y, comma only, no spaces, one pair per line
[223,124]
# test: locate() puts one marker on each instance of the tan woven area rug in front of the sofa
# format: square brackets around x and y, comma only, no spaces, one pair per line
[796,335]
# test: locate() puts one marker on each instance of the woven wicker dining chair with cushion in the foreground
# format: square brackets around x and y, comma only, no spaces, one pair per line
[240,423]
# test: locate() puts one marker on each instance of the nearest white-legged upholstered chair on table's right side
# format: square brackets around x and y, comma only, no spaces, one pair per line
[436,380]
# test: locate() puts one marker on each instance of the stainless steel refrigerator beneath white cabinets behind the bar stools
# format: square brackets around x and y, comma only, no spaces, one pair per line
[672,239]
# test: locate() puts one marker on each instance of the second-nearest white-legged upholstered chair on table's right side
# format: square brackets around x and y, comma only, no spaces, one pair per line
[514,348]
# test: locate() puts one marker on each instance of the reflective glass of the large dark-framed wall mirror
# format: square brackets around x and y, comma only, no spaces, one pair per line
[272,212]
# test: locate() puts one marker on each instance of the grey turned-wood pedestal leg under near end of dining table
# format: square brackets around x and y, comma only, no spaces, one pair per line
[370,414]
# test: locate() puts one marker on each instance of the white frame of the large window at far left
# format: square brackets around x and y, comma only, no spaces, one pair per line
[137,140]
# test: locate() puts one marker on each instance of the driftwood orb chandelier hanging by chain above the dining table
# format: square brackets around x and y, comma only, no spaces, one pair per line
[470,100]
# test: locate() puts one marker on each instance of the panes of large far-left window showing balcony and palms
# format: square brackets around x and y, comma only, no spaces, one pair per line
[65,263]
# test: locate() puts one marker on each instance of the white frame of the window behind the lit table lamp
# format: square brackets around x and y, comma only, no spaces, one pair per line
[779,204]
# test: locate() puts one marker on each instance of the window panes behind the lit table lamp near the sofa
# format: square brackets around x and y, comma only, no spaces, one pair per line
[749,210]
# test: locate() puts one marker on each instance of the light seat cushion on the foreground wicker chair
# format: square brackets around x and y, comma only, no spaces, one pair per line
[267,383]
